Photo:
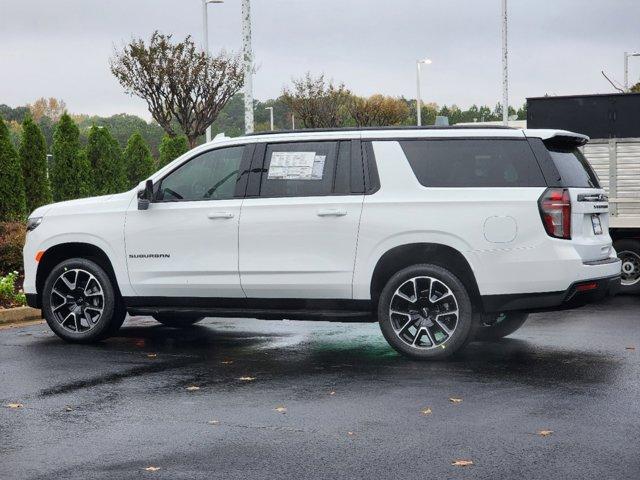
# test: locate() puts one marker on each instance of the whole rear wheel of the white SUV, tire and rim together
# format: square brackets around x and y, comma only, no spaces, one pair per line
[423,312]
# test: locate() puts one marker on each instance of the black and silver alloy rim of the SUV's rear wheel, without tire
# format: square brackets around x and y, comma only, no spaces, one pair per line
[424,312]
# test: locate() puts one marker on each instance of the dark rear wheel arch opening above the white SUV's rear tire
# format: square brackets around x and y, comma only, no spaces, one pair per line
[406,255]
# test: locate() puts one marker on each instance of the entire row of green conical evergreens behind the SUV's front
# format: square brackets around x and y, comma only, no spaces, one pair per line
[100,168]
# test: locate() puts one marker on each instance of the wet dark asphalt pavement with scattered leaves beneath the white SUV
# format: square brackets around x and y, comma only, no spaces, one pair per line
[319,400]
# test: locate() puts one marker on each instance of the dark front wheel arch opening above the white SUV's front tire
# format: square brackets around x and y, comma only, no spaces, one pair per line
[64,251]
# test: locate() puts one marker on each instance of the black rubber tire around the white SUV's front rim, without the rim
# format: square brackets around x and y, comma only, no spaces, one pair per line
[102,328]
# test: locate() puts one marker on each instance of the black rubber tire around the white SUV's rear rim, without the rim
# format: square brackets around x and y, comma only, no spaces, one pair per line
[464,329]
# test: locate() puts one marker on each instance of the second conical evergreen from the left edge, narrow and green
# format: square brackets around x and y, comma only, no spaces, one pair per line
[33,156]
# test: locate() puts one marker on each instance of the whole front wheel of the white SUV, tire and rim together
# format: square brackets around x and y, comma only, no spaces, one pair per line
[56,307]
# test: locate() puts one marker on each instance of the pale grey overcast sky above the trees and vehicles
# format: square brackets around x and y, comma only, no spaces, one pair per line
[60,48]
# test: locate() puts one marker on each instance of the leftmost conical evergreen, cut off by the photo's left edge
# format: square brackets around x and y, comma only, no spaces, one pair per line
[12,198]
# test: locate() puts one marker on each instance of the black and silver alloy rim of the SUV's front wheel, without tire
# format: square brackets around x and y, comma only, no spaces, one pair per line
[77,300]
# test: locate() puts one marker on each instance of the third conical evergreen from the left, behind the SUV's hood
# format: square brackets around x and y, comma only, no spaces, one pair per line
[70,171]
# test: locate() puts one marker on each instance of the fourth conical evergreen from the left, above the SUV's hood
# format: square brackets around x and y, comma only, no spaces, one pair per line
[105,159]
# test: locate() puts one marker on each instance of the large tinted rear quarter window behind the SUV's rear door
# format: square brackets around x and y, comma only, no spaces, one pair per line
[473,163]
